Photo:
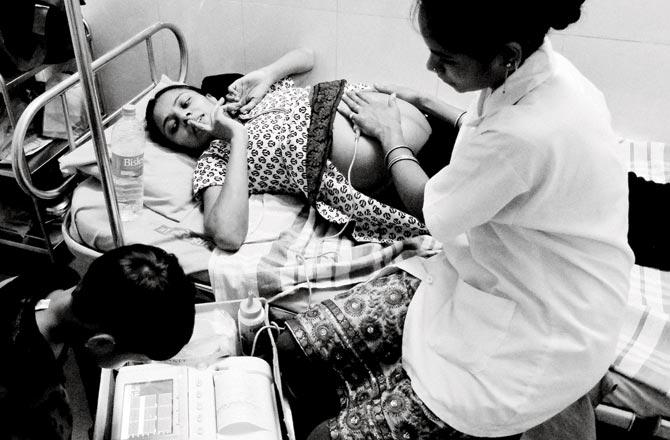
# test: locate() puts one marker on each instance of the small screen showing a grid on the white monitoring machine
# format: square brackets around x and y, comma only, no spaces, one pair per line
[147,409]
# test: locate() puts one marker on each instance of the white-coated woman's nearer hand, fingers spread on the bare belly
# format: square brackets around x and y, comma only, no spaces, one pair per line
[376,118]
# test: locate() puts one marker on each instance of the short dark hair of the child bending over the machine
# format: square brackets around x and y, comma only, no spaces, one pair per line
[140,295]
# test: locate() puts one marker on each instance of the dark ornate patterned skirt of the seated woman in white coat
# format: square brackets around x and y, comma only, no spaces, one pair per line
[359,334]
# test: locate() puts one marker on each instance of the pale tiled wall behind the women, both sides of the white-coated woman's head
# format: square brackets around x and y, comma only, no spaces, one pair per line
[622,45]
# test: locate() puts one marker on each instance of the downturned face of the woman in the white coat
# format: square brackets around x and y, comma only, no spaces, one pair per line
[460,71]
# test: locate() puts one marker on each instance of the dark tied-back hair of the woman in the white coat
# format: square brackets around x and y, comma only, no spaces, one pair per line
[481,28]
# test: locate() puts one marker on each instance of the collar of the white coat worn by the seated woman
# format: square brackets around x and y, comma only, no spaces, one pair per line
[537,68]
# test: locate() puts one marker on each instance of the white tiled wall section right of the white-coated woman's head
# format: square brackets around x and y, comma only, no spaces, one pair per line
[623,46]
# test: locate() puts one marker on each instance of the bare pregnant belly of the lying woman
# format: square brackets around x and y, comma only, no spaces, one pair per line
[369,173]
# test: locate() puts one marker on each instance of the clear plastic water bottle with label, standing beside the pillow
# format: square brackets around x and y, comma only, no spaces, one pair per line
[128,163]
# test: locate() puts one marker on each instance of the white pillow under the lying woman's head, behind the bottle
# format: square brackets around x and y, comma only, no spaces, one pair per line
[167,174]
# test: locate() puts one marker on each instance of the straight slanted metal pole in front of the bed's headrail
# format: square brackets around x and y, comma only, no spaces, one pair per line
[83,57]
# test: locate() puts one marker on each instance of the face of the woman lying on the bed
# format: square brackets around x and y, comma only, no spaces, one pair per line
[173,111]
